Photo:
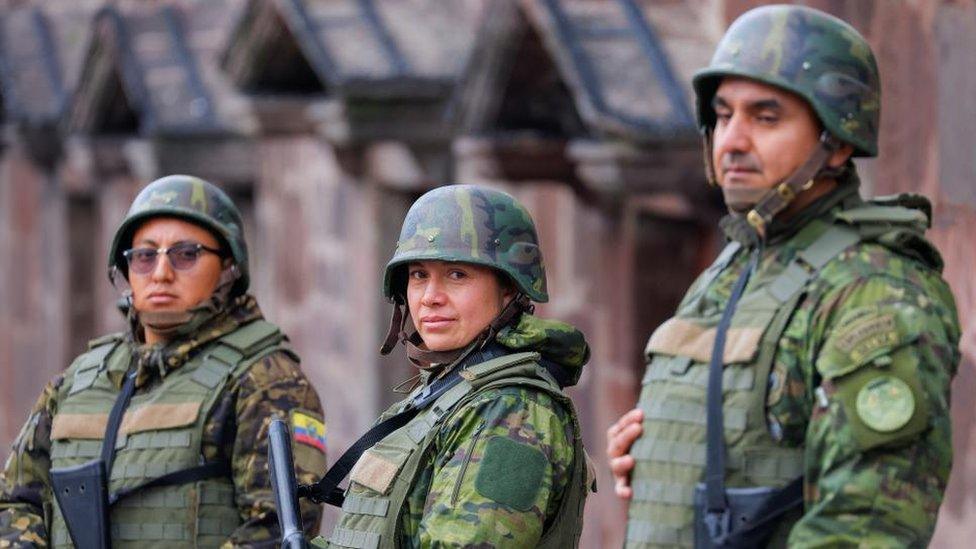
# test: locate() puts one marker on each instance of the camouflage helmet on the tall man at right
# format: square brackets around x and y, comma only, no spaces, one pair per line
[810,53]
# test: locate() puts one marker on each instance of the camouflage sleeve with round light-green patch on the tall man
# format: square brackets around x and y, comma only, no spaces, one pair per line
[882,352]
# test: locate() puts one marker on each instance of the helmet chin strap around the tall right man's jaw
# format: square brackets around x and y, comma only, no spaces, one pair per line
[760,206]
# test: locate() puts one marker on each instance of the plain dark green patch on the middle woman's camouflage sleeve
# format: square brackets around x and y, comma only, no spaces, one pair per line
[511,473]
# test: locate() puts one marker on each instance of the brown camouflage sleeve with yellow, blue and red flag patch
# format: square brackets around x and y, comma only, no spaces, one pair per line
[273,386]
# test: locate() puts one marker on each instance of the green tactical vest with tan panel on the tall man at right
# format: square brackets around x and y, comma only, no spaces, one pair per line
[670,454]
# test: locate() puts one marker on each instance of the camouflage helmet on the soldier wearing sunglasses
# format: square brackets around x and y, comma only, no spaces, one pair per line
[191,199]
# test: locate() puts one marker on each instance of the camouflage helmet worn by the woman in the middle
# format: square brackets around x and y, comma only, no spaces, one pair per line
[470,224]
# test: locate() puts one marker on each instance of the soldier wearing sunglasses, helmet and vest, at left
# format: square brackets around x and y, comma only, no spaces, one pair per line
[186,393]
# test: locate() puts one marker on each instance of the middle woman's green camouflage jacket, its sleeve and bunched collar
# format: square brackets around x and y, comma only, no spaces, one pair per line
[452,502]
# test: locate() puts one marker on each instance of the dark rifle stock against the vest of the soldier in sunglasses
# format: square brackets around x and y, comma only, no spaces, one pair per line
[82,495]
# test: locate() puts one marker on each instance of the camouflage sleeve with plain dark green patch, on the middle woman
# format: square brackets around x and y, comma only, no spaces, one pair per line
[501,466]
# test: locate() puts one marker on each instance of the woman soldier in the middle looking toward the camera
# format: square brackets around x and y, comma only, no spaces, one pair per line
[494,458]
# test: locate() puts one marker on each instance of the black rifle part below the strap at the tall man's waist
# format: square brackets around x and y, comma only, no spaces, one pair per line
[752,517]
